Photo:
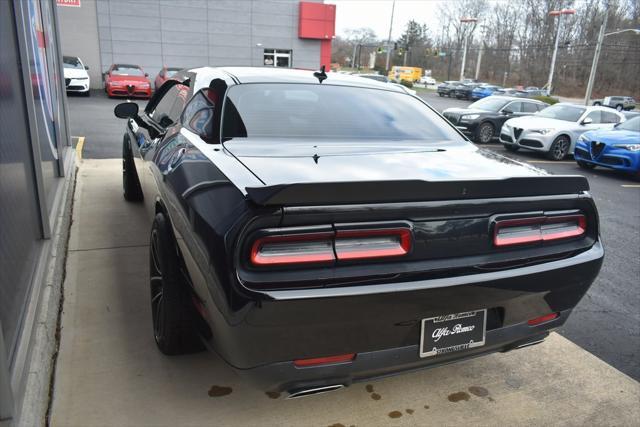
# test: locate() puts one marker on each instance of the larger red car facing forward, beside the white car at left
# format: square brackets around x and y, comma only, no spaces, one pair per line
[127,80]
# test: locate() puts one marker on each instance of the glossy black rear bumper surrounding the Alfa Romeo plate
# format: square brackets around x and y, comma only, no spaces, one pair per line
[381,323]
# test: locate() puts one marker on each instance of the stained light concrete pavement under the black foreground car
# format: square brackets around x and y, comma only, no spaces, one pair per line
[110,373]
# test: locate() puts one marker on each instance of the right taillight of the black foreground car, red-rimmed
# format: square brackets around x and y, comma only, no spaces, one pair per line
[538,229]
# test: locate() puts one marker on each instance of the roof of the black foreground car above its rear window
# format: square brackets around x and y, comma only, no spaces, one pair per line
[241,75]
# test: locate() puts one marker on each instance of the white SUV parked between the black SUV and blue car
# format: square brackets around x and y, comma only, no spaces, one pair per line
[556,129]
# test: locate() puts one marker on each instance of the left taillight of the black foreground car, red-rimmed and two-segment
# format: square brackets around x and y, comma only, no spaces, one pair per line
[328,247]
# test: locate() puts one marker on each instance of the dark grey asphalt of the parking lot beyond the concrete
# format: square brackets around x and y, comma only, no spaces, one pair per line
[607,320]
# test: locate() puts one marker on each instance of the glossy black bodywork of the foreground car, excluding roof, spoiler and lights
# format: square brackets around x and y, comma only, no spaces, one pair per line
[258,321]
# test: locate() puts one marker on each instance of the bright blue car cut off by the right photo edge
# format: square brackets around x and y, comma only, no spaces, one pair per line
[617,148]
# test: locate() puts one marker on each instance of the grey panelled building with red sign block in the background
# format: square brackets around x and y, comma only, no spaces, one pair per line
[192,33]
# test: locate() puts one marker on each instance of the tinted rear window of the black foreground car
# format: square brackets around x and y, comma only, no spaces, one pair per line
[314,111]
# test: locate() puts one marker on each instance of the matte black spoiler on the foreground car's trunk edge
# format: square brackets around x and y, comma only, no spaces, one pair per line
[335,193]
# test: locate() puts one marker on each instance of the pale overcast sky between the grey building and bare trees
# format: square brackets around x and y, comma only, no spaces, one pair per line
[376,15]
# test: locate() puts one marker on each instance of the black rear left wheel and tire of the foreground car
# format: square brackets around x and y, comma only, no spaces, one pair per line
[172,313]
